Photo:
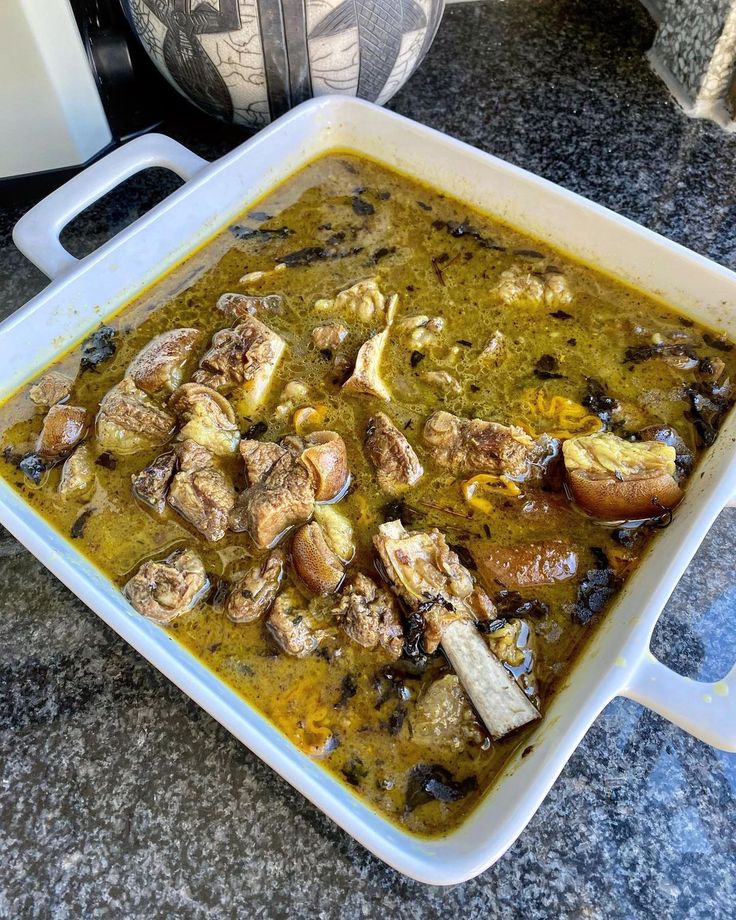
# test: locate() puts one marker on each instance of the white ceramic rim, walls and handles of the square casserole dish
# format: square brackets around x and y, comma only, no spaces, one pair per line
[617,661]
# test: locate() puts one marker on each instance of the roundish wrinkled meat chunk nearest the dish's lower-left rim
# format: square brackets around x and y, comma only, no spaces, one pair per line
[162,591]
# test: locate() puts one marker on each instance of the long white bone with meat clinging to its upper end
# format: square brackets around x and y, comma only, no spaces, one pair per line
[424,572]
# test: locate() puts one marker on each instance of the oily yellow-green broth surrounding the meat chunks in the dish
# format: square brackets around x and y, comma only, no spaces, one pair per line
[444,261]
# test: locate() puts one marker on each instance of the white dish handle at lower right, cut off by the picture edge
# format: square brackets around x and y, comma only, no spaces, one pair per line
[705,710]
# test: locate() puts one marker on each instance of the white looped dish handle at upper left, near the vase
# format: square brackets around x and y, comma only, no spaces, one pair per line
[37,233]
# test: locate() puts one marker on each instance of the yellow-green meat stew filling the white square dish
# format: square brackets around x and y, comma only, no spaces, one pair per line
[381,463]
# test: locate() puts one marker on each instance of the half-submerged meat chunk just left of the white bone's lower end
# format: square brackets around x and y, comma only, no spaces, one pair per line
[443,716]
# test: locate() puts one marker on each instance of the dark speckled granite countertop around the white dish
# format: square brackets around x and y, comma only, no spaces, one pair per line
[121,798]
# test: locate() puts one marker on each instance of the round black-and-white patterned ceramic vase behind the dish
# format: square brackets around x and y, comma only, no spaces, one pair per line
[248,61]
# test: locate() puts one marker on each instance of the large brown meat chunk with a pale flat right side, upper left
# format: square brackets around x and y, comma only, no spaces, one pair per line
[241,362]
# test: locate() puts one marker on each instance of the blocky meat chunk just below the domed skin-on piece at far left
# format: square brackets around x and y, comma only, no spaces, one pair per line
[129,421]
